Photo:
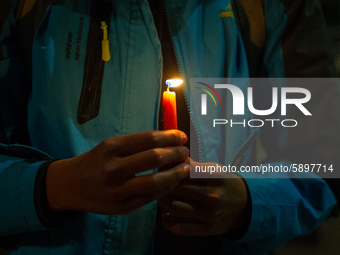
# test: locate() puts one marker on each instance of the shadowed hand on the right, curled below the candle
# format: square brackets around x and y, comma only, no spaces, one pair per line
[204,207]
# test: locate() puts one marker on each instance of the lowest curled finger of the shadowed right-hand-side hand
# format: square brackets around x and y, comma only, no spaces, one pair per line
[184,226]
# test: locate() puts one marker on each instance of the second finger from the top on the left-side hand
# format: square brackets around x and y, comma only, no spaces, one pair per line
[150,159]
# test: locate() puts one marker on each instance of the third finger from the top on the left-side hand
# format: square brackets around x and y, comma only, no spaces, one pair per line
[153,183]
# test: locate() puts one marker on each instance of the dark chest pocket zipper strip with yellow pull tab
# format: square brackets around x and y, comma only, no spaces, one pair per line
[89,102]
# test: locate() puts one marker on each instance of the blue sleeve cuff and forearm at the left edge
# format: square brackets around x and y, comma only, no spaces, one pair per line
[17,211]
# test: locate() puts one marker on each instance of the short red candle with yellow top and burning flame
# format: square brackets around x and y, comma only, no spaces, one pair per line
[169,105]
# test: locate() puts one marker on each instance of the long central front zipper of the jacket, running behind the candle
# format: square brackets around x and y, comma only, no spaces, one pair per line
[181,74]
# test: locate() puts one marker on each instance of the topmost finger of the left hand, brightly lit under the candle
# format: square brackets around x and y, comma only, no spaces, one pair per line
[134,143]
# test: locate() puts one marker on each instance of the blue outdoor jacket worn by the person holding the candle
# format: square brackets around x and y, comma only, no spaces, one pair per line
[64,121]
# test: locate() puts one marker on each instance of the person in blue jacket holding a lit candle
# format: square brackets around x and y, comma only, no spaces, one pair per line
[83,179]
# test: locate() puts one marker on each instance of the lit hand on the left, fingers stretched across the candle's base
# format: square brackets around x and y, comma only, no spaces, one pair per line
[103,180]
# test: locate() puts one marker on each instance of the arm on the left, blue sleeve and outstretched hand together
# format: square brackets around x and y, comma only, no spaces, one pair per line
[102,180]
